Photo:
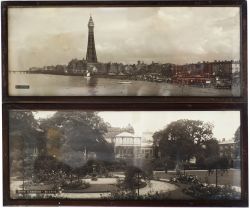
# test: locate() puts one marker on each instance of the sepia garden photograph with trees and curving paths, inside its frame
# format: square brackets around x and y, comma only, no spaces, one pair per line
[125,155]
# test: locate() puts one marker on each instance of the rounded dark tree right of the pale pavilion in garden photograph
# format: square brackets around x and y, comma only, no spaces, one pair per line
[183,139]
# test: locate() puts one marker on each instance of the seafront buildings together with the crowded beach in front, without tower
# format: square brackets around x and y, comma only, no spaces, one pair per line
[194,73]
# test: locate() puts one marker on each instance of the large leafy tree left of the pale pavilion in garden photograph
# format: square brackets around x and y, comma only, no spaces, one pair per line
[80,133]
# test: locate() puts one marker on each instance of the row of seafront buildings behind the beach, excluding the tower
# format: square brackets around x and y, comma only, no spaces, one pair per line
[76,66]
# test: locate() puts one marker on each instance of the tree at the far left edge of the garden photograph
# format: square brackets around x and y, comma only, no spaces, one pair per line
[25,136]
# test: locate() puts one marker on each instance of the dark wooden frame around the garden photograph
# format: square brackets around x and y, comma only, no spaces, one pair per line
[120,107]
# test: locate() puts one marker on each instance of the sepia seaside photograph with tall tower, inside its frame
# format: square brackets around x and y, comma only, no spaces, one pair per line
[124,51]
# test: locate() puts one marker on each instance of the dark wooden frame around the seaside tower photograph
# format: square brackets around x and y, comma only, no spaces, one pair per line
[118,99]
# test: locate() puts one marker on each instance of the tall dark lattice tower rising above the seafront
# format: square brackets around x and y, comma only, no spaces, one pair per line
[91,53]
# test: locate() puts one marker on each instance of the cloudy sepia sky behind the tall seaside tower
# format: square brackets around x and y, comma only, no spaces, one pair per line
[50,36]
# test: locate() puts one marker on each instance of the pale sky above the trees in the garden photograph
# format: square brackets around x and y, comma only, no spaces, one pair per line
[225,122]
